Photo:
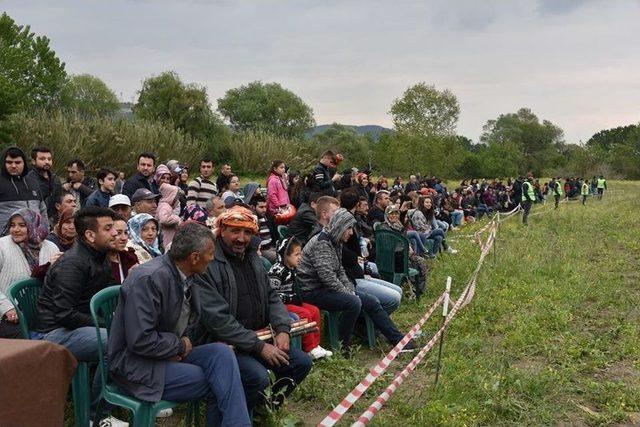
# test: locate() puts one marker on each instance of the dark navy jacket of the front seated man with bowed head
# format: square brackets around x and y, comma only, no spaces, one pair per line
[142,338]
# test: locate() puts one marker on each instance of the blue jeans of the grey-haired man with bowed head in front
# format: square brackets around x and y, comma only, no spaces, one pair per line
[211,372]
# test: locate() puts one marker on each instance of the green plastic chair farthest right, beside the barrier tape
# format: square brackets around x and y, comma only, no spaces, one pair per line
[387,242]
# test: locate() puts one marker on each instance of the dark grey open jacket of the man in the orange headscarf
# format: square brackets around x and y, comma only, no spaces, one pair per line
[219,304]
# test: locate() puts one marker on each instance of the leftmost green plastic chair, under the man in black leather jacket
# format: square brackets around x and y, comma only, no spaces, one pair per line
[24,296]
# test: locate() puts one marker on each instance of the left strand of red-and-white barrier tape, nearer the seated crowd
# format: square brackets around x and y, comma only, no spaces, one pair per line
[337,412]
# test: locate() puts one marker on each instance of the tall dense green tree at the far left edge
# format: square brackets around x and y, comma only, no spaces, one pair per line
[34,73]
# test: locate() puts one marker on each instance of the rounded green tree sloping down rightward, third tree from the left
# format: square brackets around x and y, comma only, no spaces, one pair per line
[186,106]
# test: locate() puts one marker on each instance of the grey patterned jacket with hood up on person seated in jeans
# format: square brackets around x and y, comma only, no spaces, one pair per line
[321,264]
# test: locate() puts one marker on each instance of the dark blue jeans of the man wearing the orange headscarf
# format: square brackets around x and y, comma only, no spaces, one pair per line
[255,377]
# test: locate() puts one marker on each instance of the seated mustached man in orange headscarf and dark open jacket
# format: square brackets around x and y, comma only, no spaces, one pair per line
[237,300]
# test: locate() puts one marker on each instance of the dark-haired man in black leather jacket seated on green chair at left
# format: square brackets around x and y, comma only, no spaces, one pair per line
[62,313]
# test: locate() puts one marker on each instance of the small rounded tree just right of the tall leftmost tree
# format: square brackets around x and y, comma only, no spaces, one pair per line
[89,96]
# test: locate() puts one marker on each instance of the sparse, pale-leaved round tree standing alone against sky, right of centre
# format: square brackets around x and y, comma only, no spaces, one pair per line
[424,110]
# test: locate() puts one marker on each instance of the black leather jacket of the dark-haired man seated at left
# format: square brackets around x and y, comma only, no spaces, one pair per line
[68,287]
